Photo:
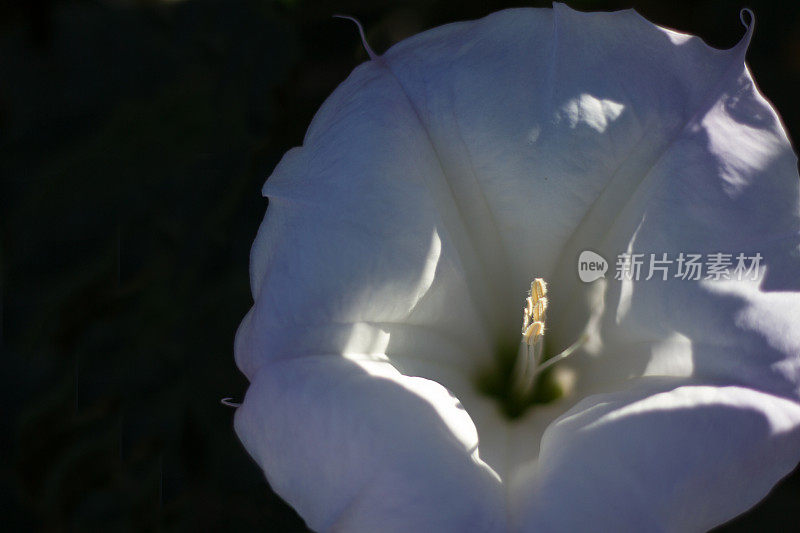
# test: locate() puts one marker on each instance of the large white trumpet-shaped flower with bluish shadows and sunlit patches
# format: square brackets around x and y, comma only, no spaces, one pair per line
[401,239]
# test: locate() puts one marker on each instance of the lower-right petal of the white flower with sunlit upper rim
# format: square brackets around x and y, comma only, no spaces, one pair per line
[663,456]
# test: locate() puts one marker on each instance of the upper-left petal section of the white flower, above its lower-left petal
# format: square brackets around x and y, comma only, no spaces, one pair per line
[352,235]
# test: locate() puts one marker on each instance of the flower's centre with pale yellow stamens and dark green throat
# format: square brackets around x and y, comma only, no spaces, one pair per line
[524,373]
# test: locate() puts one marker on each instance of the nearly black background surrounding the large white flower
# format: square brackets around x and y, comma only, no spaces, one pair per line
[134,139]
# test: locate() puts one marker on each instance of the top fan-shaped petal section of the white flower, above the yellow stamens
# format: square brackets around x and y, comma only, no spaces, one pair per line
[547,120]
